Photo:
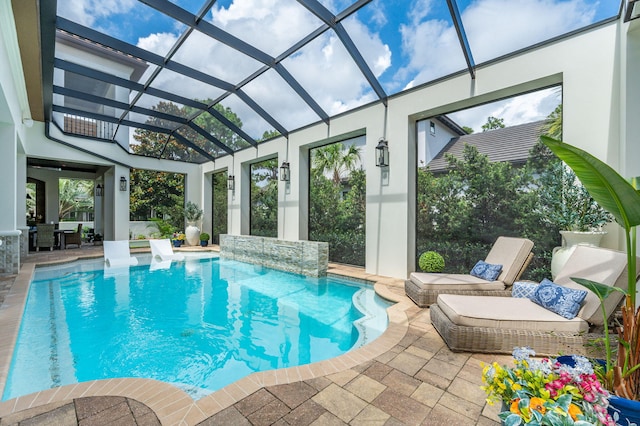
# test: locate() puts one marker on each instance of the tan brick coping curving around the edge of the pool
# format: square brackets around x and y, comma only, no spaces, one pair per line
[171,404]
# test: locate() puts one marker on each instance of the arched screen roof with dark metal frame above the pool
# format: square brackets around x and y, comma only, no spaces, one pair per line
[214,77]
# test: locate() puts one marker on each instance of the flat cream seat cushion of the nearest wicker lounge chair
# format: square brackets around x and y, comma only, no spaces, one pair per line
[507,313]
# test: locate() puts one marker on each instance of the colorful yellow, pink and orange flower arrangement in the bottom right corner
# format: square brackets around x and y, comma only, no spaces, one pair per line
[547,392]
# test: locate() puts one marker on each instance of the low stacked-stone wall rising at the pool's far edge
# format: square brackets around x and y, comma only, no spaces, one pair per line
[309,258]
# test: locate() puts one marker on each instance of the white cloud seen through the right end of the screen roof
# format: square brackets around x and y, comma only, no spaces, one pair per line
[493,28]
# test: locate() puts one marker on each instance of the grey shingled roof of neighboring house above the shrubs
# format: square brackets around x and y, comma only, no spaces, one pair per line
[511,144]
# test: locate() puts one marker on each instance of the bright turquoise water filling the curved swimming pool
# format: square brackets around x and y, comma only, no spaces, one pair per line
[199,324]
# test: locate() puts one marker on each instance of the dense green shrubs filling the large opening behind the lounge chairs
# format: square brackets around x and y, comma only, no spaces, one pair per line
[460,214]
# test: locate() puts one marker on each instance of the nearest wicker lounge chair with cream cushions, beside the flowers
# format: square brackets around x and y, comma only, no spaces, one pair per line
[498,324]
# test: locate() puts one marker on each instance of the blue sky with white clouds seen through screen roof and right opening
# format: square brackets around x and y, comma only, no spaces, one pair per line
[405,43]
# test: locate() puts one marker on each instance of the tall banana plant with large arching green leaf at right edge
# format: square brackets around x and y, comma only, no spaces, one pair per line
[618,196]
